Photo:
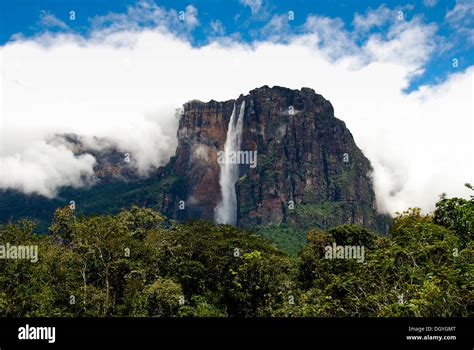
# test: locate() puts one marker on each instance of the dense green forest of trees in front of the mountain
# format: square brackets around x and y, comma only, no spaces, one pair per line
[138,263]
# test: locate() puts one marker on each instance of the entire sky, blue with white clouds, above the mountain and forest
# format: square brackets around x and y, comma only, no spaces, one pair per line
[400,74]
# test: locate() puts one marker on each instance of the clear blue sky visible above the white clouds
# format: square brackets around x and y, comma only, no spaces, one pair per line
[245,19]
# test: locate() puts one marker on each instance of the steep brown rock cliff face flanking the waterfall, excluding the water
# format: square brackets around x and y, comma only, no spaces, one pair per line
[308,169]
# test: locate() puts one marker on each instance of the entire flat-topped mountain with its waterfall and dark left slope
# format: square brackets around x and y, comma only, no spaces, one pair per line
[289,166]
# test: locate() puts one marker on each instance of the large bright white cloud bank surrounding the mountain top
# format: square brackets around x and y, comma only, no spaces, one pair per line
[125,85]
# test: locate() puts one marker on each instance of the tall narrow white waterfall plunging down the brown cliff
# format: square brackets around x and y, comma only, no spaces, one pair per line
[226,210]
